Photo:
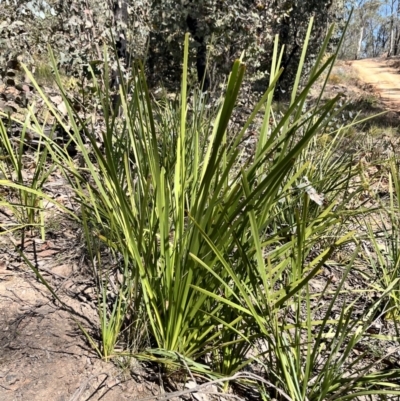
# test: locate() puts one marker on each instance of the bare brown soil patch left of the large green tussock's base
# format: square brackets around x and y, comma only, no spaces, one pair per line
[44,356]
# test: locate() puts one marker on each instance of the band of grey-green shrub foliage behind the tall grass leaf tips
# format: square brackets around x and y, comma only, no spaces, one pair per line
[155,29]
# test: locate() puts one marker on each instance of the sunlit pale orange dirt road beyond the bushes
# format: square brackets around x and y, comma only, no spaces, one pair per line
[384,79]
